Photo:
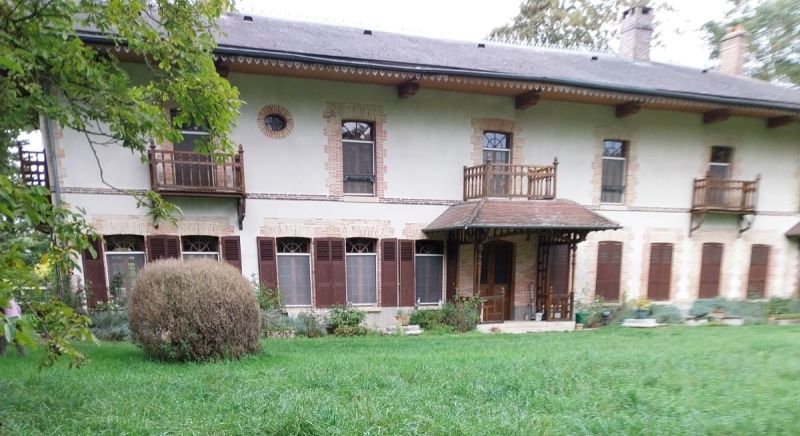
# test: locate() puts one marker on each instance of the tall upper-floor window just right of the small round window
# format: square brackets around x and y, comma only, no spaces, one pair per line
[358,157]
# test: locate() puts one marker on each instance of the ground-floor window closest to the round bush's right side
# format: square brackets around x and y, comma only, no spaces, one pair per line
[294,271]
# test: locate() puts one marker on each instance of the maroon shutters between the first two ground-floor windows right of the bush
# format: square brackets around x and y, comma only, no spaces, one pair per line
[330,274]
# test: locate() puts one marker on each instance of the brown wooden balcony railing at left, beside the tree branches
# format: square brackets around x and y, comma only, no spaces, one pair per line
[191,173]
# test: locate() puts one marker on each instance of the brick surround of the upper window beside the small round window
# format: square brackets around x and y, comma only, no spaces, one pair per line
[334,114]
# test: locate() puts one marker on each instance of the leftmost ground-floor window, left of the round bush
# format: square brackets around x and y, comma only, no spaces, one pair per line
[125,256]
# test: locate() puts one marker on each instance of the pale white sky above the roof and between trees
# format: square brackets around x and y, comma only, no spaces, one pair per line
[472,20]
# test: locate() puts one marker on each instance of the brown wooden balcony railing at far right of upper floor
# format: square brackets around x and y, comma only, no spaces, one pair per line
[722,195]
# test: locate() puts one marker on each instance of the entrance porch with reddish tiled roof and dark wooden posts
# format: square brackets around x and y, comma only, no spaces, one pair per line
[556,225]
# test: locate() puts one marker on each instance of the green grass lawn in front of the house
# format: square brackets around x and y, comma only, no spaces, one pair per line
[675,380]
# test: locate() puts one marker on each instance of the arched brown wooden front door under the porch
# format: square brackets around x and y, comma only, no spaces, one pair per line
[496,275]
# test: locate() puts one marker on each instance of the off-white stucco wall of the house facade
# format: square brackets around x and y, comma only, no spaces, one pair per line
[428,141]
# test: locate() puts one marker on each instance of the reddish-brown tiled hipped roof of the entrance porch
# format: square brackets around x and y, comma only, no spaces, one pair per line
[558,214]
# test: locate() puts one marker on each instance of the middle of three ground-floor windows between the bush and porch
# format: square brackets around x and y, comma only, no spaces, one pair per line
[361,264]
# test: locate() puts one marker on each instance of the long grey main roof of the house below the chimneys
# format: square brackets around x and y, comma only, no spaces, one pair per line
[351,46]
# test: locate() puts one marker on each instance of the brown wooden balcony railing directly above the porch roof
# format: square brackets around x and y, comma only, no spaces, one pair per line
[533,182]
